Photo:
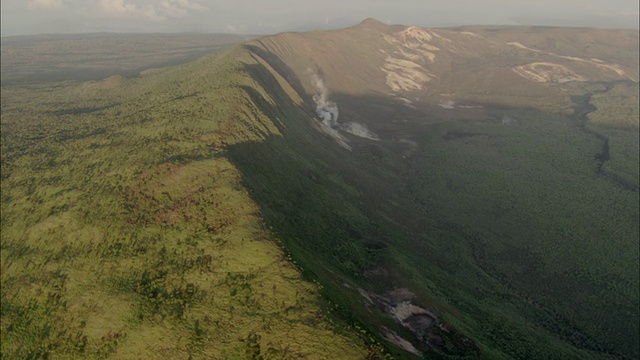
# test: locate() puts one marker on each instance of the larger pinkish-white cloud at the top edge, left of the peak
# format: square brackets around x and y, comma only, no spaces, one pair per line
[147,10]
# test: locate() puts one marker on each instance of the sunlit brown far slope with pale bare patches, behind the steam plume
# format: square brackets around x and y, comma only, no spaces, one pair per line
[469,64]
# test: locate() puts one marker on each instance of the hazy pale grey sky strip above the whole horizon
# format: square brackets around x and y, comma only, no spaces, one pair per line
[261,16]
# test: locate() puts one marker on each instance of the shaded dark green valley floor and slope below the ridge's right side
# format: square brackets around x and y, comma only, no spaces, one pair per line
[506,228]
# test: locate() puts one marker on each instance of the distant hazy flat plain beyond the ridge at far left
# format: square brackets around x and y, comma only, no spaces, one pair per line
[83,57]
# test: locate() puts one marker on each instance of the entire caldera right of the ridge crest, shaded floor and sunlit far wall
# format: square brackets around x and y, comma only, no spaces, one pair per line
[454,222]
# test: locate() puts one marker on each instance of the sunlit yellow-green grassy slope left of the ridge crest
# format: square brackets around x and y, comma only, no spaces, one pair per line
[126,232]
